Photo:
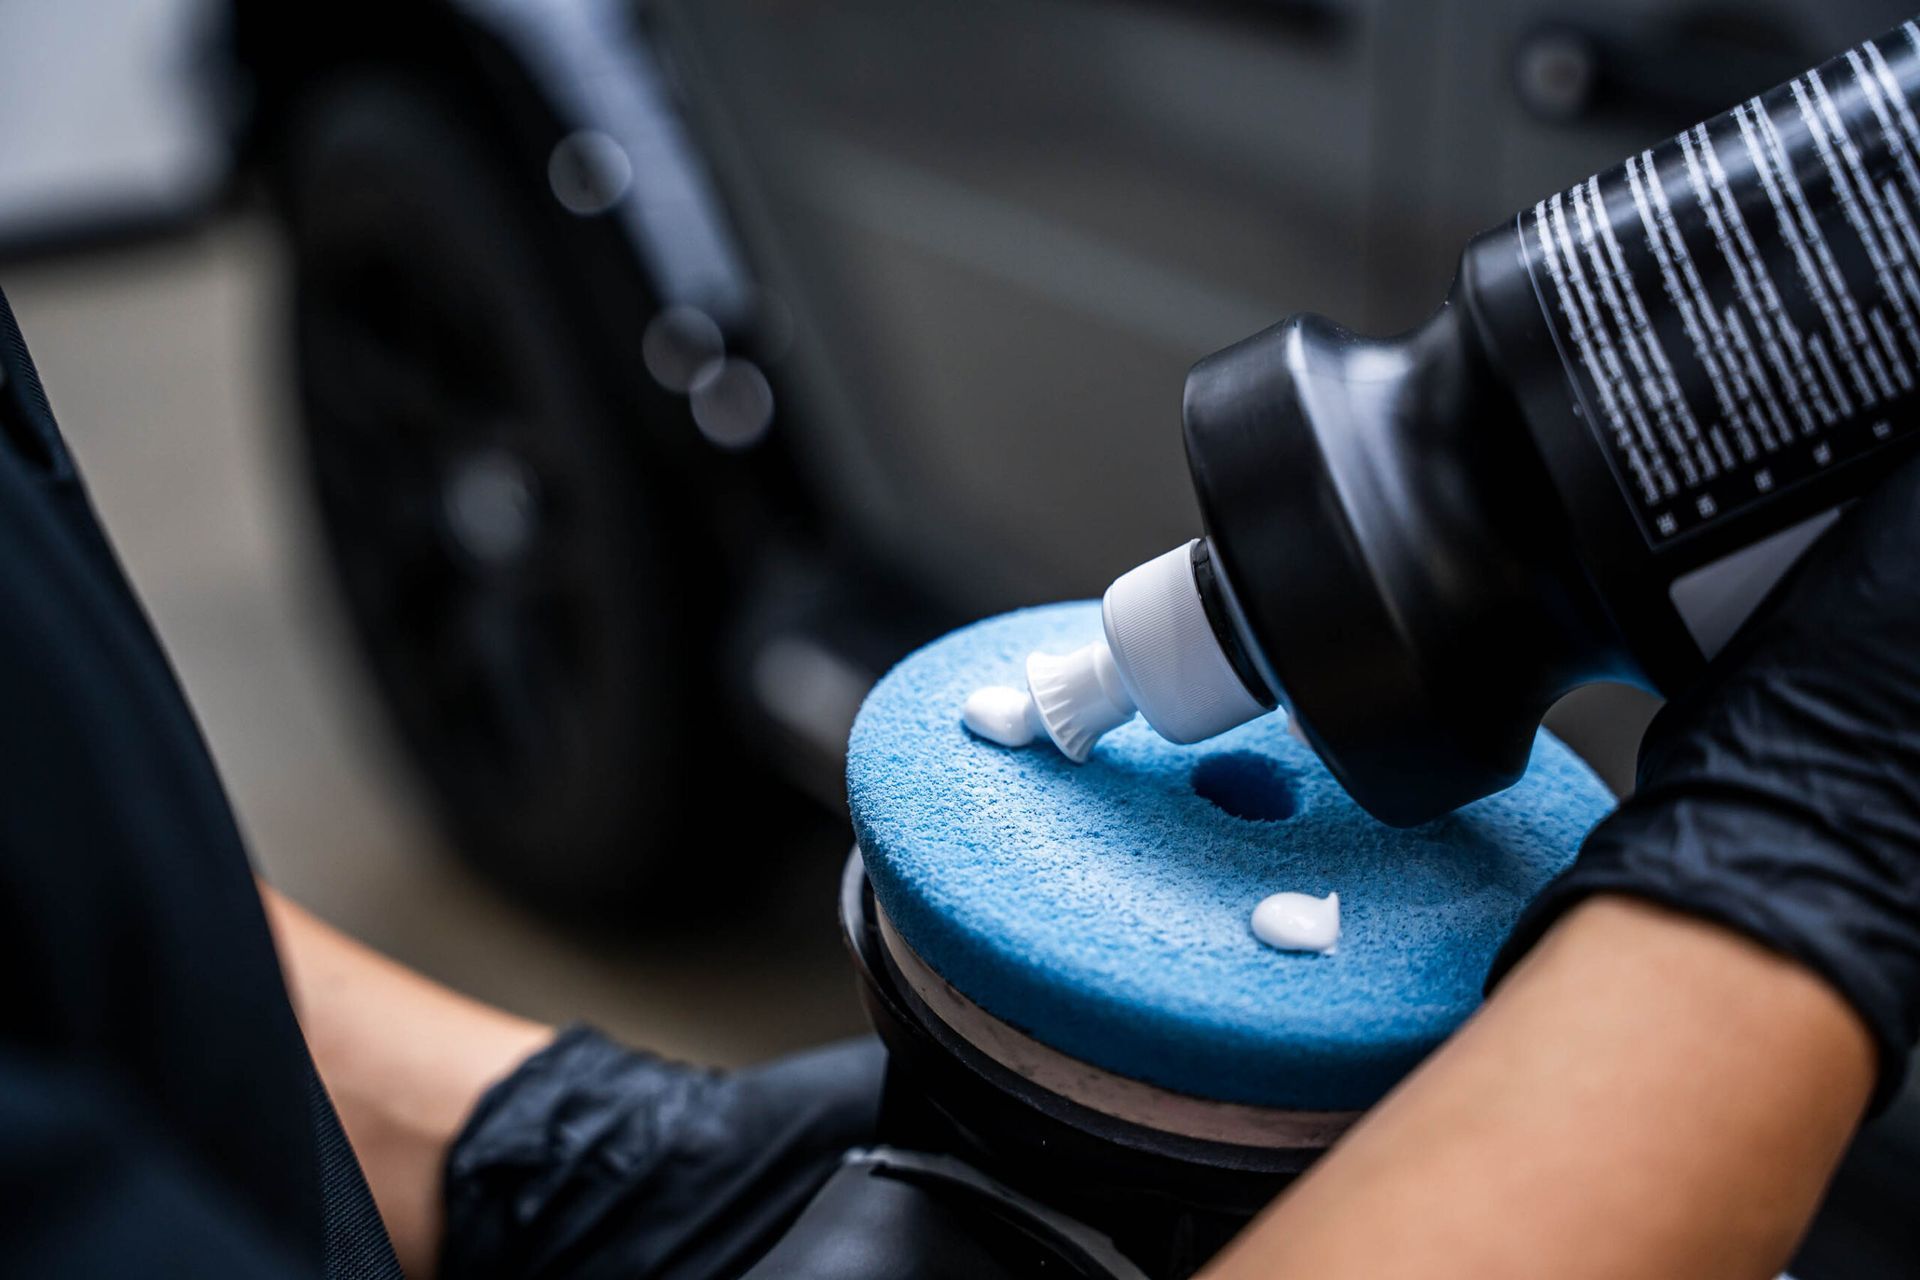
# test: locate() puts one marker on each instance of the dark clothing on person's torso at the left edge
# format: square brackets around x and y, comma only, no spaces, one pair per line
[158,1112]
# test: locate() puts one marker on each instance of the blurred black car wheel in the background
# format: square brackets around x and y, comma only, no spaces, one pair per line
[512,554]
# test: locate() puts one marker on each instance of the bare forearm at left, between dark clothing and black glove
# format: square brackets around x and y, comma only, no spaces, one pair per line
[404,1060]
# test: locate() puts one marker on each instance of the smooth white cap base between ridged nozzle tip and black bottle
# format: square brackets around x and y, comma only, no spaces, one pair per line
[1168,659]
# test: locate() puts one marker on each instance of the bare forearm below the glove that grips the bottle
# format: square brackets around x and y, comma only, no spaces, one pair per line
[1644,1097]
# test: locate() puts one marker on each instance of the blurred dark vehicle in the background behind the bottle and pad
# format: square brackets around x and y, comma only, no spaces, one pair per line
[949,252]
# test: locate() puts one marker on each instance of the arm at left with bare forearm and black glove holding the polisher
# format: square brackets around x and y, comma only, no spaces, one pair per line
[496,1149]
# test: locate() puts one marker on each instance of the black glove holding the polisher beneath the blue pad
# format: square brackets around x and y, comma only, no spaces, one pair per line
[594,1160]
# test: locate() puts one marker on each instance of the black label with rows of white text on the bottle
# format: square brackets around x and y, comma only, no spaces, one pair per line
[1739,308]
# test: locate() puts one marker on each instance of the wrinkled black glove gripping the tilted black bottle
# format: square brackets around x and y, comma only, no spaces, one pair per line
[1781,795]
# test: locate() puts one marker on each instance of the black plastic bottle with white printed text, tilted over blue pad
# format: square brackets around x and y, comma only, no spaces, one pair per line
[1639,404]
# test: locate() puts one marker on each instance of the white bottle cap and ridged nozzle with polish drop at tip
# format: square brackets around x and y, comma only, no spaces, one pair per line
[1159,657]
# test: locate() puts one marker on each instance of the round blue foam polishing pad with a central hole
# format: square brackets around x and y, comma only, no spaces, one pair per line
[1105,909]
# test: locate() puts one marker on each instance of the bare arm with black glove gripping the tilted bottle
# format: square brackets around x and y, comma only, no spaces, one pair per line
[1679,1083]
